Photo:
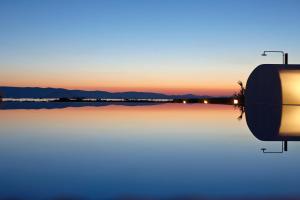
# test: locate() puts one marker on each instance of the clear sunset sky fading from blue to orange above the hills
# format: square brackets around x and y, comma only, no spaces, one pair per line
[170,46]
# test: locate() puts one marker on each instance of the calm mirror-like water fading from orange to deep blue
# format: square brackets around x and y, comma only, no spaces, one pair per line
[167,150]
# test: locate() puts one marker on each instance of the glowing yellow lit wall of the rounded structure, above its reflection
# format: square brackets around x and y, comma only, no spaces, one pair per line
[290,84]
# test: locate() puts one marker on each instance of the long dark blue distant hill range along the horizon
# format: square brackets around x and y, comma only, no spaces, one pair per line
[36,92]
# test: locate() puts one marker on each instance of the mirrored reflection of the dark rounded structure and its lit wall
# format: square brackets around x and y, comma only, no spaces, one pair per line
[274,123]
